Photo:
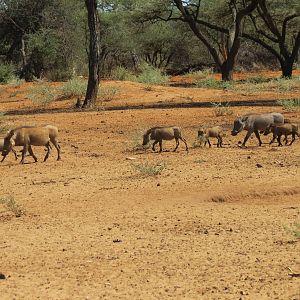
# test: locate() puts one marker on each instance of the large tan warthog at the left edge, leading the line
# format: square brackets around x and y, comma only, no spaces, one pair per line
[28,136]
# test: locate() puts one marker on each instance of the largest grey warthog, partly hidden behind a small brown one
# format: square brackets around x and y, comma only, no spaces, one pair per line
[255,123]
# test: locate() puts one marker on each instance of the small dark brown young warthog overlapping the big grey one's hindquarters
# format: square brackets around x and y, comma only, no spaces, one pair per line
[284,129]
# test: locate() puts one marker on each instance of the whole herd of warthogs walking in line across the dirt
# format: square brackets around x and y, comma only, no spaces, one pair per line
[28,136]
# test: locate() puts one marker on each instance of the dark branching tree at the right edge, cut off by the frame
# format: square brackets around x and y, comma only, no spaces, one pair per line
[276,28]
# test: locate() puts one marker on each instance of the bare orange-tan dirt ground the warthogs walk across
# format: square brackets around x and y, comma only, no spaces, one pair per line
[210,226]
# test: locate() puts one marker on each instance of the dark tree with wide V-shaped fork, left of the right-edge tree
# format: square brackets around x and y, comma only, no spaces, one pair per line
[222,43]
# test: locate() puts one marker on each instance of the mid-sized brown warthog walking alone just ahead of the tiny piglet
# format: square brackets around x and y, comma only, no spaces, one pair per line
[158,134]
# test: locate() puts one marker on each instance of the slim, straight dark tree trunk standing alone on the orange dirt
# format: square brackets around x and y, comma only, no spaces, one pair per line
[94,55]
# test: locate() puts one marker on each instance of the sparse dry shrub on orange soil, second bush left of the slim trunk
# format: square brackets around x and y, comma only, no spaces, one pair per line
[42,94]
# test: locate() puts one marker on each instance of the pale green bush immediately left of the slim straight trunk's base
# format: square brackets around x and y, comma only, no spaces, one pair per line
[75,87]
